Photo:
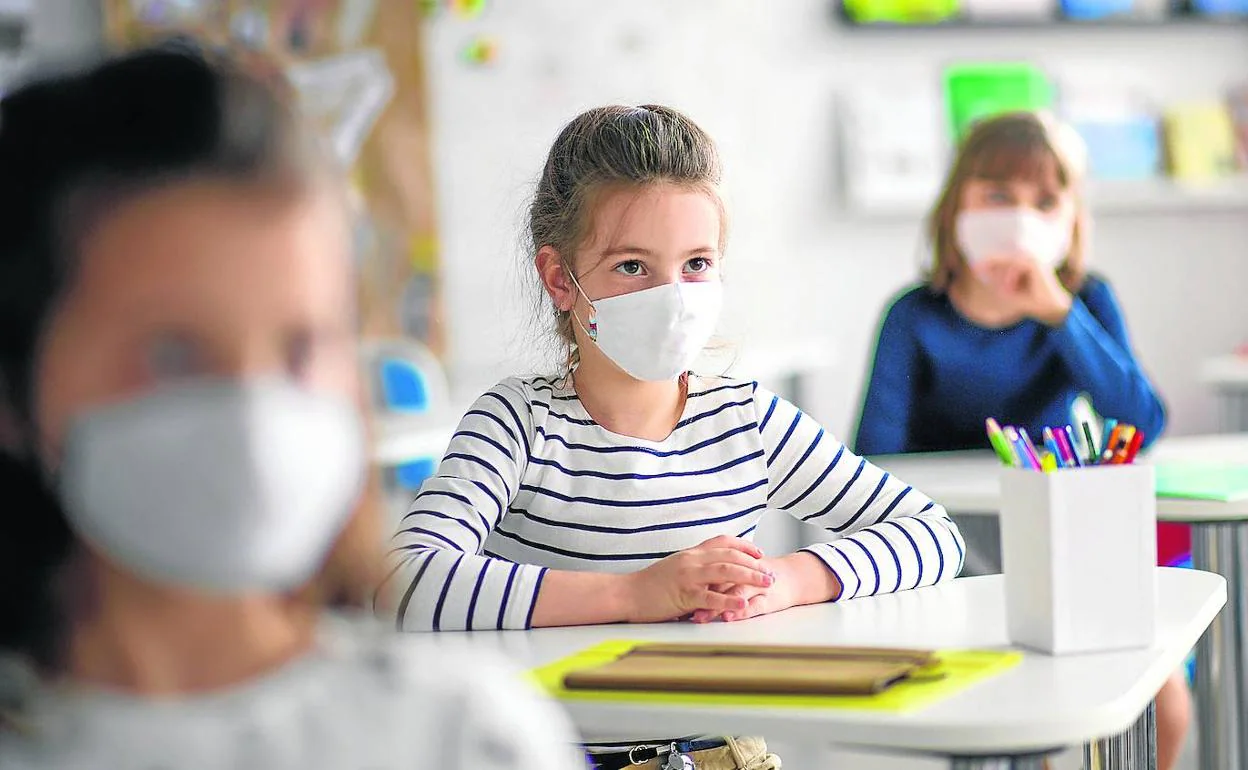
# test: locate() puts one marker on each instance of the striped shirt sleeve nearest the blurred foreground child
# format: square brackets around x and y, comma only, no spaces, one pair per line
[440,577]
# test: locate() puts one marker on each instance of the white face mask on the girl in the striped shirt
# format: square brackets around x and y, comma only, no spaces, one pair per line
[657,334]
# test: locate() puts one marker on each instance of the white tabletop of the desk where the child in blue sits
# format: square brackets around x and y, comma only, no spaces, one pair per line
[969,482]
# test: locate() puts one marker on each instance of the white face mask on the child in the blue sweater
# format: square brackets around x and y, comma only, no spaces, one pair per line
[1002,233]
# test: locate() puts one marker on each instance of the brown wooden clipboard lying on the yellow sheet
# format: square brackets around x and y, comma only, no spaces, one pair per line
[753,670]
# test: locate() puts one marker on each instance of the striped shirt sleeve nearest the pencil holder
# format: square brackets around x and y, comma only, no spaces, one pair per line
[888,536]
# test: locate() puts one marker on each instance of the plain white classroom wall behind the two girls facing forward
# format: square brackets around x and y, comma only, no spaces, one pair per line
[764,78]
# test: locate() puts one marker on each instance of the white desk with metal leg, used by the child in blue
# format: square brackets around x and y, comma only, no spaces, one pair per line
[968,484]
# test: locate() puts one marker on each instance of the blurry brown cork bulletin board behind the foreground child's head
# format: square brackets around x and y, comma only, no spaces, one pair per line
[360,72]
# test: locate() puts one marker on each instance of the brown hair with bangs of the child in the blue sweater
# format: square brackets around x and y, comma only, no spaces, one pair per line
[1012,147]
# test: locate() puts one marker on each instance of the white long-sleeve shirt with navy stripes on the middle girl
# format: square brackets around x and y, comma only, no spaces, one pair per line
[532,484]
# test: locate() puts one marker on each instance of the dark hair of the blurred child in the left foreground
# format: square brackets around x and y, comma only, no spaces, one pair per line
[159,117]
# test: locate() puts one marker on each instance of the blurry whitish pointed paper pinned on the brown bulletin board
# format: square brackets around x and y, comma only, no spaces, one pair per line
[346,95]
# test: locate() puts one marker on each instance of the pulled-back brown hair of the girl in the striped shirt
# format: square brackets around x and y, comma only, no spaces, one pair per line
[612,148]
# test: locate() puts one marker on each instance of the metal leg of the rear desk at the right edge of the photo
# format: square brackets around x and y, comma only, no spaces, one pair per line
[1221,658]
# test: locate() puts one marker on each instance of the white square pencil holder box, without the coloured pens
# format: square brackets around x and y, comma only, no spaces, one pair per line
[1080,552]
